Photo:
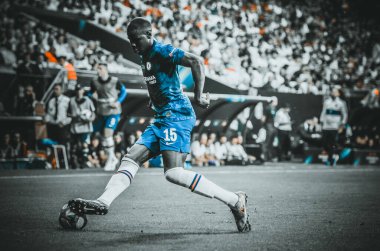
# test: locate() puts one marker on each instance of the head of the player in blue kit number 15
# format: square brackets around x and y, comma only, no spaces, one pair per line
[140,35]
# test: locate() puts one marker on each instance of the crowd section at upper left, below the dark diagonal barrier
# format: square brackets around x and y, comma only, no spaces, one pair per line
[32,46]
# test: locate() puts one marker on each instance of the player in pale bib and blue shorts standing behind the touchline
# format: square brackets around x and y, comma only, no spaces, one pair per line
[109,93]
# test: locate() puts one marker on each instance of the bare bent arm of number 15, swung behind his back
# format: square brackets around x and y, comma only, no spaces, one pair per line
[197,69]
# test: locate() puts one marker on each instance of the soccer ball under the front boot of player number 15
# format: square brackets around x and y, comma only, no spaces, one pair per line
[70,220]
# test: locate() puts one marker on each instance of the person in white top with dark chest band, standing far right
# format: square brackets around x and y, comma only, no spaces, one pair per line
[333,118]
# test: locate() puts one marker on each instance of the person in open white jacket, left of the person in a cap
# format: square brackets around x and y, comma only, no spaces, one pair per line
[56,116]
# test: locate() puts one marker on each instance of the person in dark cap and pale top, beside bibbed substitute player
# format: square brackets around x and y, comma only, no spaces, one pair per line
[82,113]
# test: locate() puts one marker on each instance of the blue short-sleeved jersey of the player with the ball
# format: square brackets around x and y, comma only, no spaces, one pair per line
[160,72]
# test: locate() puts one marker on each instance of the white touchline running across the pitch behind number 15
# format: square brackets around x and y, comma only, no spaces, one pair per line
[248,171]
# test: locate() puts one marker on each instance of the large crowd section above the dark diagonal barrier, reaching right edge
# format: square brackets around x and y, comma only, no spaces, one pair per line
[287,46]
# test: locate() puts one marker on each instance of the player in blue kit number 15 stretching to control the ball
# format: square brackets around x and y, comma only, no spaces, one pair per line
[169,134]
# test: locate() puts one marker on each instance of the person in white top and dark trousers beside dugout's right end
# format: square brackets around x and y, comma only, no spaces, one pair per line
[283,123]
